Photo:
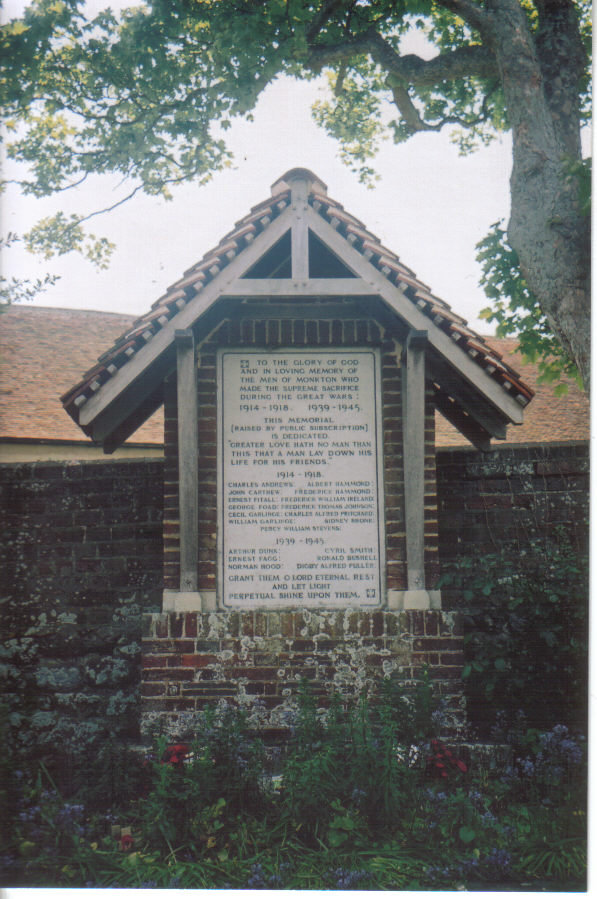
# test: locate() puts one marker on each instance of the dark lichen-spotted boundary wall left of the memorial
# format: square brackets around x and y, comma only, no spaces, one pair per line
[80,557]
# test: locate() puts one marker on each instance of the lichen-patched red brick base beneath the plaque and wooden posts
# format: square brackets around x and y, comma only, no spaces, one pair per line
[257,660]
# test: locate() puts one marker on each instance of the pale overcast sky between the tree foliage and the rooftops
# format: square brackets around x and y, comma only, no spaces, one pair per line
[430,206]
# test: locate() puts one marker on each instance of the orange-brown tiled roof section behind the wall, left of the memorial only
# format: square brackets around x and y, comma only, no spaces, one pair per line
[42,351]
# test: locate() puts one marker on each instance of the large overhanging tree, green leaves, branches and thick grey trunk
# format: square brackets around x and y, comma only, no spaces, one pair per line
[149,95]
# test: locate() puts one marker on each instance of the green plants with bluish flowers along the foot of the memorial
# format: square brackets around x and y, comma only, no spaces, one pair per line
[369,797]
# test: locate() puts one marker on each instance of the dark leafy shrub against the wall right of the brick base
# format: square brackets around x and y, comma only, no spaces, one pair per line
[525,617]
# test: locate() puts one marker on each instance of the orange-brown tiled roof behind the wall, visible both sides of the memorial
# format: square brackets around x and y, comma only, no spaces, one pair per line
[42,350]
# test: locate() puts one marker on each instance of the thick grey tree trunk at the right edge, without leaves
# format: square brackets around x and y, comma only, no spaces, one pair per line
[546,228]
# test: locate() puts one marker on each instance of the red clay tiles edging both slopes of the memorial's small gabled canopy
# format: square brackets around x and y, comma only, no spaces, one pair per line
[244,232]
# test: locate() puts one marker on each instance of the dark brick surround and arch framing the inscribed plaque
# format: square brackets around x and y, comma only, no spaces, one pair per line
[290,333]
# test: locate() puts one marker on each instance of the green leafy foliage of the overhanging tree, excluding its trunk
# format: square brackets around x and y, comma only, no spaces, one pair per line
[147,93]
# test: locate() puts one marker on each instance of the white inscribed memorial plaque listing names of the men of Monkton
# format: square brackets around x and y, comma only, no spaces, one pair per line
[300,478]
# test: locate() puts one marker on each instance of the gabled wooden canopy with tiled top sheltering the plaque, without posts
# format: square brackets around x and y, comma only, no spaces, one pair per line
[299,244]
